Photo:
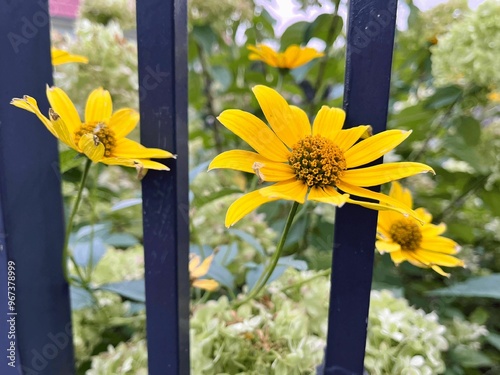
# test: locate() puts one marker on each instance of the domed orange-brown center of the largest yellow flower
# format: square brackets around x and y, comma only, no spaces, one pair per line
[317,161]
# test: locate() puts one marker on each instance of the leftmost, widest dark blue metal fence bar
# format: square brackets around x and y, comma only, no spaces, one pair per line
[30,194]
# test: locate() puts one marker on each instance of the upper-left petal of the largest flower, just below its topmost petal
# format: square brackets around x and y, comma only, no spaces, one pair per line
[257,134]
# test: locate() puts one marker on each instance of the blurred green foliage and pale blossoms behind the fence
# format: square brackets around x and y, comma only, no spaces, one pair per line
[445,87]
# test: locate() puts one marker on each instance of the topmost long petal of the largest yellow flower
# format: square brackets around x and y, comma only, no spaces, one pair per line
[286,123]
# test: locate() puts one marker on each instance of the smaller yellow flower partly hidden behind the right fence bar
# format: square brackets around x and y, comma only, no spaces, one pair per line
[406,240]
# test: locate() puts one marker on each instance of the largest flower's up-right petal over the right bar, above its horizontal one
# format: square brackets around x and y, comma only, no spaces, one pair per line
[374,147]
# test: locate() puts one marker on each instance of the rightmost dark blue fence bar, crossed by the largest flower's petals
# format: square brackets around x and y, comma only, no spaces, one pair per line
[370,39]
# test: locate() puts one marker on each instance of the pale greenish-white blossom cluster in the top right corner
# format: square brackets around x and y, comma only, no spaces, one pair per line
[469,52]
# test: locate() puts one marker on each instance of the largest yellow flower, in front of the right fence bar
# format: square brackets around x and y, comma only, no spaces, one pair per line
[310,162]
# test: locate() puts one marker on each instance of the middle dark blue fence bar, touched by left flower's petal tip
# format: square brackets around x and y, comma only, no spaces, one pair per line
[162,48]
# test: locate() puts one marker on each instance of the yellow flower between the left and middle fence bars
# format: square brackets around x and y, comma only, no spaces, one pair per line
[102,136]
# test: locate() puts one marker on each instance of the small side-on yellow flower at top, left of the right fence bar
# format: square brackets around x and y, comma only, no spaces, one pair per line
[293,57]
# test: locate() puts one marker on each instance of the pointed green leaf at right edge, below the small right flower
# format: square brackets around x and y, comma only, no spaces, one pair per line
[486,287]
